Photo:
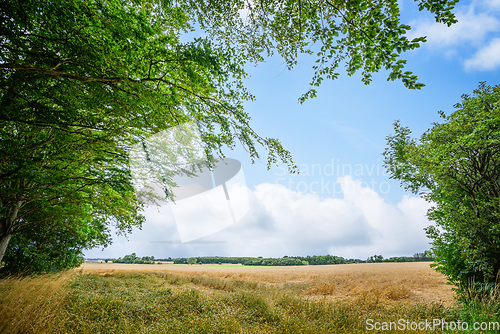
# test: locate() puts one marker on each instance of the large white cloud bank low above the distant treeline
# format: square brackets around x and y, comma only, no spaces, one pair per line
[283,222]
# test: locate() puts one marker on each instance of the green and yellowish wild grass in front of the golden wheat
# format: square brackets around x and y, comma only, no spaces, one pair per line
[93,301]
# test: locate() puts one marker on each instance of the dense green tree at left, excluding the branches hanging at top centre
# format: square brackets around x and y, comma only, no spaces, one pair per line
[81,82]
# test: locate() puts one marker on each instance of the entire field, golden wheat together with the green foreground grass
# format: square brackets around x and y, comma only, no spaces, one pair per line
[120,298]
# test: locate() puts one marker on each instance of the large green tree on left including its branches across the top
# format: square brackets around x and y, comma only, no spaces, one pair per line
[82,81]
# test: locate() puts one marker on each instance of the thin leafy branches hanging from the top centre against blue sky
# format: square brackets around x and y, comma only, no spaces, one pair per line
[360,34]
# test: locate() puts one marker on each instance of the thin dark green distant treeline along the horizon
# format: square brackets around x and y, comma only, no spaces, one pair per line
[284,261]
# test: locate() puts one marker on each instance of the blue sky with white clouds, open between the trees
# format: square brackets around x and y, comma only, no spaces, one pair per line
[342,202]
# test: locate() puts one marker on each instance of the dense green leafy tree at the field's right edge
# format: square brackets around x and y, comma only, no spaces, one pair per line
[456,166]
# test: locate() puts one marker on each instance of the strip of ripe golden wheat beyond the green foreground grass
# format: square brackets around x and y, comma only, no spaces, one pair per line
[394,282]
